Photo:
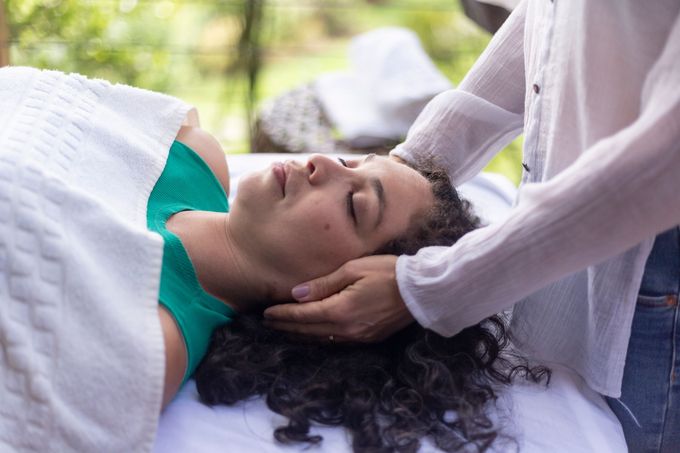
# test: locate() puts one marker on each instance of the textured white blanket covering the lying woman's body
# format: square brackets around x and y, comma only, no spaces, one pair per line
[81,357]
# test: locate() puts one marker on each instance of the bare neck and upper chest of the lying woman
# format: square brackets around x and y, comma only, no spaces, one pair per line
[223,266]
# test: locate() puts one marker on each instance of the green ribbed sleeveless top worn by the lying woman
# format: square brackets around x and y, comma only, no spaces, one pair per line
[187,183]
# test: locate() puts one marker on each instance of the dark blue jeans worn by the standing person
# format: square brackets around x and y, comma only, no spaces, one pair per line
[649,407]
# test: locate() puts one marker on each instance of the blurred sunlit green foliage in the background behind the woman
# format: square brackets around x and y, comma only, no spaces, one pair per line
[204,51]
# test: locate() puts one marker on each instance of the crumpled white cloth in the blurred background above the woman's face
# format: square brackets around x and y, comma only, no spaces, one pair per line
[391,78]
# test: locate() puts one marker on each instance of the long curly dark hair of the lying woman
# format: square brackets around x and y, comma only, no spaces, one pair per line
[388,395]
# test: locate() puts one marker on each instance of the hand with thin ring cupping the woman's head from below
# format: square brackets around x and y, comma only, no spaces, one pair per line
[359,302]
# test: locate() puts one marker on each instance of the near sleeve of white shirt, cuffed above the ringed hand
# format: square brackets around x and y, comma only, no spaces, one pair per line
[620,191]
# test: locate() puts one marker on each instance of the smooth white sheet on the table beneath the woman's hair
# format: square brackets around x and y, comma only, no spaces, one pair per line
[566,417]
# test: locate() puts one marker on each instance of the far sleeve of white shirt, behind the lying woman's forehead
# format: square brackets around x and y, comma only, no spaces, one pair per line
[462,129]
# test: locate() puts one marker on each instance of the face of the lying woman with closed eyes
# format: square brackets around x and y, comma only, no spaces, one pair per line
[306,219]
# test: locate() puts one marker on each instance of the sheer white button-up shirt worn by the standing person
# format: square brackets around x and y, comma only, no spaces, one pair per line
[595,86]
